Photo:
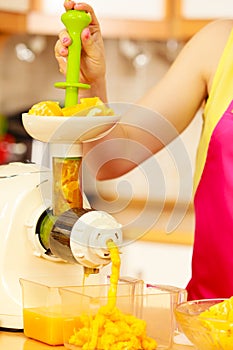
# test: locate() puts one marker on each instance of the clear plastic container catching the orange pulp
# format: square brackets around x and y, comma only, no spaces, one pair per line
[154,304]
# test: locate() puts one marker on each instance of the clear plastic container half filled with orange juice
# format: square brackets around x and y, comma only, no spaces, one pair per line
[43,317]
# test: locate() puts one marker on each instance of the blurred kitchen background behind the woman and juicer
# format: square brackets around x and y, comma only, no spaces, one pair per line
[142,38]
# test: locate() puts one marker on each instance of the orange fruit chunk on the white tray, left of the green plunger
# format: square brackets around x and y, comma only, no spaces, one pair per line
[46,108]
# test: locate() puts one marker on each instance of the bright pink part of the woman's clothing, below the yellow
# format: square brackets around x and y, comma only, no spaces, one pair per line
[212,264]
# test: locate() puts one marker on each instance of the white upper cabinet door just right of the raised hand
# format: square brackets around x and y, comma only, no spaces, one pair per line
[140,20]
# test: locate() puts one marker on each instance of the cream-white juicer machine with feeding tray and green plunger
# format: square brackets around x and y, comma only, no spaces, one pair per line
[36,241]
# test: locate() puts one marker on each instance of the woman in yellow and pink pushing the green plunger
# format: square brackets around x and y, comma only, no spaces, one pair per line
[202,73]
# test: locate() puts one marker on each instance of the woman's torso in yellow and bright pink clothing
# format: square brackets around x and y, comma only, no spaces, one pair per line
[212,256]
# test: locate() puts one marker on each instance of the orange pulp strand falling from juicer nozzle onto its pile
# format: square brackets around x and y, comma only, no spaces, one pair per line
[111,329]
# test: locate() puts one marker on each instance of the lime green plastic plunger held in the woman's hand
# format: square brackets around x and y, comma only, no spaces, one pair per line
[75,21]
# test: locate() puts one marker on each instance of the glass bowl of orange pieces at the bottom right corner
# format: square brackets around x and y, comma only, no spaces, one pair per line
[207,323]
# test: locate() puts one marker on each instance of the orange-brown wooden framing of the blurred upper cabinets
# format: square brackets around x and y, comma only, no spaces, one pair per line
[172,26]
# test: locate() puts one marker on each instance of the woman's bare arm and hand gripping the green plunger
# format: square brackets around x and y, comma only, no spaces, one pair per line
[164,112]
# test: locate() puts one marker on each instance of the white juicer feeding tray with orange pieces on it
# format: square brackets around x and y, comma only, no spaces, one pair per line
[47,121]
